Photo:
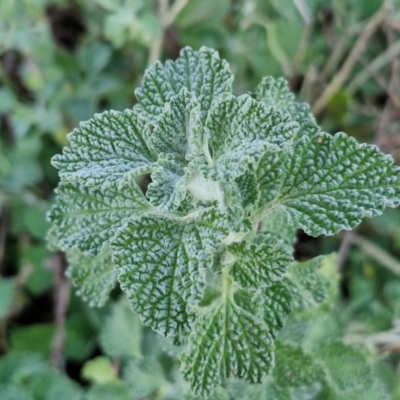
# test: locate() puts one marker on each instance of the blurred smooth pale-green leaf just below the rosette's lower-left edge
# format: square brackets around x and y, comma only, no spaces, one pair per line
[121,333]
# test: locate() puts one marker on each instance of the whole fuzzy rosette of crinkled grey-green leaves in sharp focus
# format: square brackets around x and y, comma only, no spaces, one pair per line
[202,251]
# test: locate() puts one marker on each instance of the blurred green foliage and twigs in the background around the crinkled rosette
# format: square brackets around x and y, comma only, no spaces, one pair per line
[62,61]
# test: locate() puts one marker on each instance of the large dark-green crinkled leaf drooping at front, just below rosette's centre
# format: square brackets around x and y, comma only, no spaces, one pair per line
[161,265]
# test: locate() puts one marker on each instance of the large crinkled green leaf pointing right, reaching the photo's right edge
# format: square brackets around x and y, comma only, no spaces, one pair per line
[331,183]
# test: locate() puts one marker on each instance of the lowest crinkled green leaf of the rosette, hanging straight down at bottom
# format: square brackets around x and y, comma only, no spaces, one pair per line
[226,341]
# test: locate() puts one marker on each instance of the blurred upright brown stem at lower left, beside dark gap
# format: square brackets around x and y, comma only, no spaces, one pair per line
[61,299]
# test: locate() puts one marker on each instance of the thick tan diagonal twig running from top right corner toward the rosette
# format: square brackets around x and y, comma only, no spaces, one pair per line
[345,70]
